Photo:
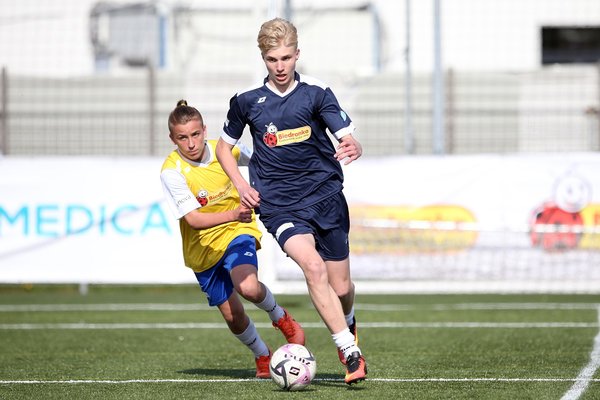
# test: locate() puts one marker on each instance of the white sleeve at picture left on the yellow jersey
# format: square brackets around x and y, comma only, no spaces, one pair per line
[179,197]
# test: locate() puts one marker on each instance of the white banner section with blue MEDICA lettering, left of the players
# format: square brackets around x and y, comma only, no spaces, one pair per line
[87,220]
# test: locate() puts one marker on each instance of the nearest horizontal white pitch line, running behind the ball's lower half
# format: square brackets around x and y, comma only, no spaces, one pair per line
[397,380]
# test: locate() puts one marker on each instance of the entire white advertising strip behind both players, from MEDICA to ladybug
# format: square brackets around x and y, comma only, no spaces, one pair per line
[418,223]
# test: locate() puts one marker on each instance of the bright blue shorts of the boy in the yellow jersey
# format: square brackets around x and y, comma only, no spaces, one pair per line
[216,282]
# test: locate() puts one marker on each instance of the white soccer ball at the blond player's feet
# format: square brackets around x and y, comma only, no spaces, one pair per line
[292,367]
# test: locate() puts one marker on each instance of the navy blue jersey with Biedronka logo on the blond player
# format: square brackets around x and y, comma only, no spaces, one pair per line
[293,164]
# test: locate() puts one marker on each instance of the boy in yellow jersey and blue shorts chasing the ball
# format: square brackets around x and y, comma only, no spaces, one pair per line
[220,237]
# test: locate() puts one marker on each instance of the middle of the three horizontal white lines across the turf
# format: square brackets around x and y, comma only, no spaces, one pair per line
[363,325]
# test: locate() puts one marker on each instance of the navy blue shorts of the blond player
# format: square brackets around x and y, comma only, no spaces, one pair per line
[328,221]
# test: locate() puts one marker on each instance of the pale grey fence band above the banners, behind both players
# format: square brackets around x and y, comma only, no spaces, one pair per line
[548,110]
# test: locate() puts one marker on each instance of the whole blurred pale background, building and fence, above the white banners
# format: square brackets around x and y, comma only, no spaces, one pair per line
[82,77]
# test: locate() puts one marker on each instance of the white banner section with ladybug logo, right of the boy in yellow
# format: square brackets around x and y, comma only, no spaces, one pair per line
[473,223]
